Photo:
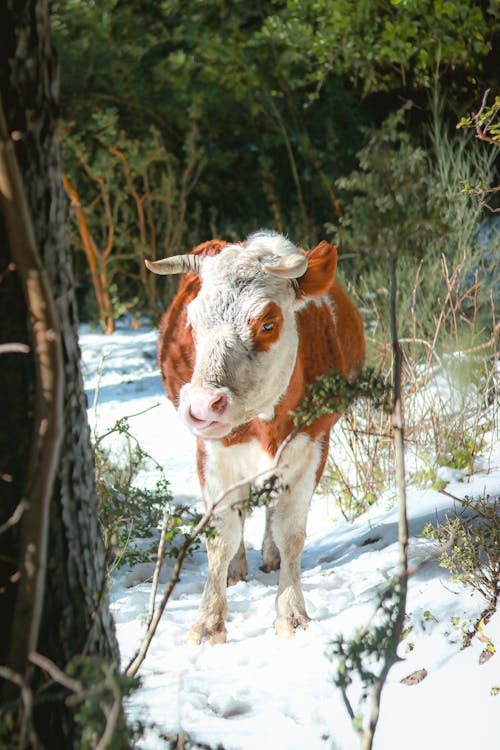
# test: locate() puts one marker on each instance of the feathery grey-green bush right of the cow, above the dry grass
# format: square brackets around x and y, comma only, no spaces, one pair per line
[405,197]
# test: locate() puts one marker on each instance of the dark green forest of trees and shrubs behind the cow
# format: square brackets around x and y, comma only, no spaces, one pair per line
[325,119]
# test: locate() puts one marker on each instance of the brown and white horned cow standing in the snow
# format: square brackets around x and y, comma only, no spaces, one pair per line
[253,324]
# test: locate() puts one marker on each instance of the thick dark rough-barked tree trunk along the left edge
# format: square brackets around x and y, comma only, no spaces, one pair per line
[75,618]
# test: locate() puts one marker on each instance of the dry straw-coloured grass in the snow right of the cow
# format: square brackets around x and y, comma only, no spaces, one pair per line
[450,380]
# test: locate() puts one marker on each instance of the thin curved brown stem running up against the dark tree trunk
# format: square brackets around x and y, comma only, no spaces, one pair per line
[33,506]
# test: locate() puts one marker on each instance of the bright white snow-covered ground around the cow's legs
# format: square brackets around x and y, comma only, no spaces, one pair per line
[258,692]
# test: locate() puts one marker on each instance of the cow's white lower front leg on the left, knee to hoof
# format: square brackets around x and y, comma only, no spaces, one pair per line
[221,549]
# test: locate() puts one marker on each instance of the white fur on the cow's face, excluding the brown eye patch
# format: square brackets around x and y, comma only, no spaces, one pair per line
[235,290]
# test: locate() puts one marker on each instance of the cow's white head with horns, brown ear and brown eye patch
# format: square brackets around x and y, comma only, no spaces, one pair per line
[244,327]
